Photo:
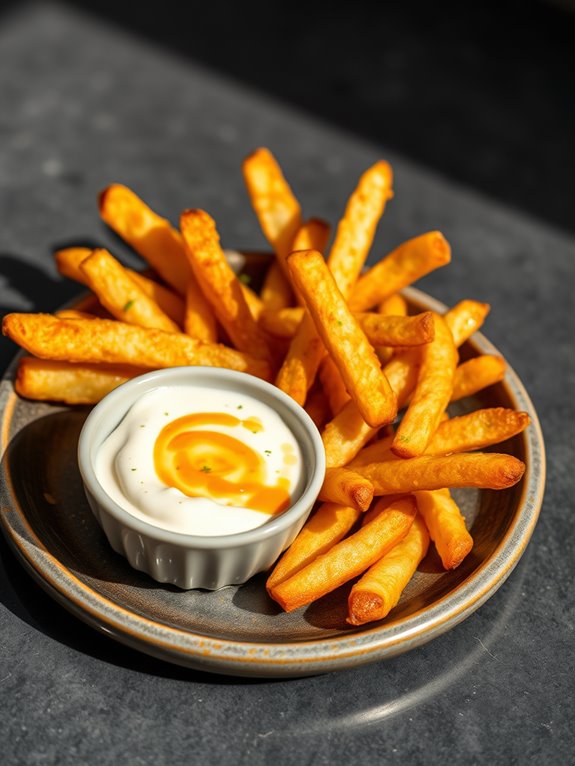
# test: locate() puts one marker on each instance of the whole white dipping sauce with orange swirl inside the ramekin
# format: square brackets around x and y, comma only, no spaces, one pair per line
[201,461]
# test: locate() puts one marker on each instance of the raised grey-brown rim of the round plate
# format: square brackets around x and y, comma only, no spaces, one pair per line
[277,659]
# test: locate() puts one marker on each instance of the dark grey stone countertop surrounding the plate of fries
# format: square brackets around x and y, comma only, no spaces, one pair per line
[81,106]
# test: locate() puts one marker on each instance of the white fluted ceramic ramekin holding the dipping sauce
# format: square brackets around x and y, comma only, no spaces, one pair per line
[193,561]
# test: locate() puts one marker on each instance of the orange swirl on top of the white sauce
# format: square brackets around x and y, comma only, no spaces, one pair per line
[204,463]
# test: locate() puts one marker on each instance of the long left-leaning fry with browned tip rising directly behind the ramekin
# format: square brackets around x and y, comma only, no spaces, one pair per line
[220,284]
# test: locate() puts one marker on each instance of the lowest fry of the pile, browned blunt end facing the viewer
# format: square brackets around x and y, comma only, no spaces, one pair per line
[380,588]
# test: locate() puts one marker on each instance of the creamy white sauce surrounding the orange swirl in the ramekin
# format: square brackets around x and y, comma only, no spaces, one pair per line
[126,471]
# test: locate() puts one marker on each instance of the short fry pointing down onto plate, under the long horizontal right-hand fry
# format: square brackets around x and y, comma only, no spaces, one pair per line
[446,526]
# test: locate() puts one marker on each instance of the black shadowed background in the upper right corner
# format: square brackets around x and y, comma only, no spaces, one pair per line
[481,92]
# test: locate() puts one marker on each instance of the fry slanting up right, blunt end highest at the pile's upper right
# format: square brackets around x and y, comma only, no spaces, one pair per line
[409,262]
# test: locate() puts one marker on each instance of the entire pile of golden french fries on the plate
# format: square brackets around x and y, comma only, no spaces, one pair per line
[339,340]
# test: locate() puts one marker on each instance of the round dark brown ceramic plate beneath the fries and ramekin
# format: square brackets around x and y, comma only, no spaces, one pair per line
[239,630]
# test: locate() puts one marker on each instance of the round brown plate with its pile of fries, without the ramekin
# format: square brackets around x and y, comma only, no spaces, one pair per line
[435,456]
